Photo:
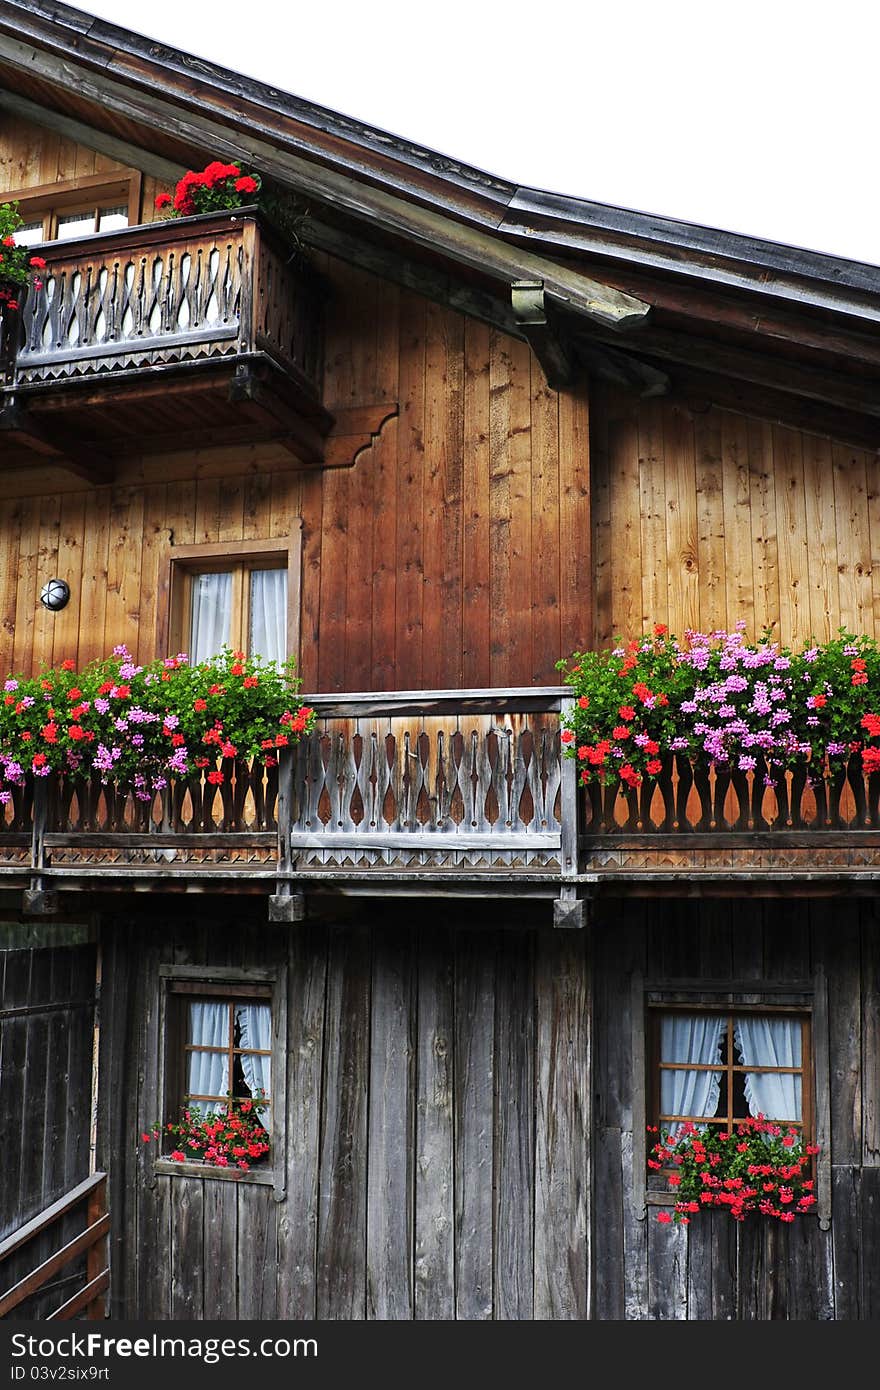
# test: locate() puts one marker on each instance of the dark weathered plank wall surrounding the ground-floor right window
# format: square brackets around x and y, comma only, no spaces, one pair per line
[715,1268]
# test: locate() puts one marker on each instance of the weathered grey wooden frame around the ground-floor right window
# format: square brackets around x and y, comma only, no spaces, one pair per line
[807,999]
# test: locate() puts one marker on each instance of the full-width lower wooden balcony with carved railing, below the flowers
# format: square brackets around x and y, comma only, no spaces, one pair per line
[446,794]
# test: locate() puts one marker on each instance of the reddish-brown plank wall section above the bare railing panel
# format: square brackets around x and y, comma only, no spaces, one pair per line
[457,550]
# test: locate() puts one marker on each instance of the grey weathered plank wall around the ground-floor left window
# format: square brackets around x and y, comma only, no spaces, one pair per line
[439,1107]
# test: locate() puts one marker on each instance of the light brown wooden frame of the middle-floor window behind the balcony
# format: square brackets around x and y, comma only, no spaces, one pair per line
[186,561]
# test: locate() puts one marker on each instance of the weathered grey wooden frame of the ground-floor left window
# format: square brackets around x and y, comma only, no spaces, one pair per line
[229,983]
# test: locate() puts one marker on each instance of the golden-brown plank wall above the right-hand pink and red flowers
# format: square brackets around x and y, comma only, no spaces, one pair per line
[703,518]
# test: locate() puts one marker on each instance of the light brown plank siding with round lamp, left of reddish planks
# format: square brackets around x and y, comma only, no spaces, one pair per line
[113,546]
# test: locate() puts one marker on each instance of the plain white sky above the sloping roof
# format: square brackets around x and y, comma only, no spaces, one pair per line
[757,116]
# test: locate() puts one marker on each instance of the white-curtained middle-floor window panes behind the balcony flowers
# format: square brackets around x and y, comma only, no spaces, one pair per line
[244,607]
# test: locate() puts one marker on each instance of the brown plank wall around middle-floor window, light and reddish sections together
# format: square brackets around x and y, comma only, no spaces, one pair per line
[453,551]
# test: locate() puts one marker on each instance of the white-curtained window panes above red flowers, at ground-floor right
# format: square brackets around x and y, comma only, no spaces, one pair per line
[717,1068]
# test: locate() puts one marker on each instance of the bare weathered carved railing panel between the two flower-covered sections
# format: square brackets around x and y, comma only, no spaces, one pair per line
[443,787]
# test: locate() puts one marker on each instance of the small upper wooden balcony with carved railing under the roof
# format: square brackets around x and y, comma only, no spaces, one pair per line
[198,330]
